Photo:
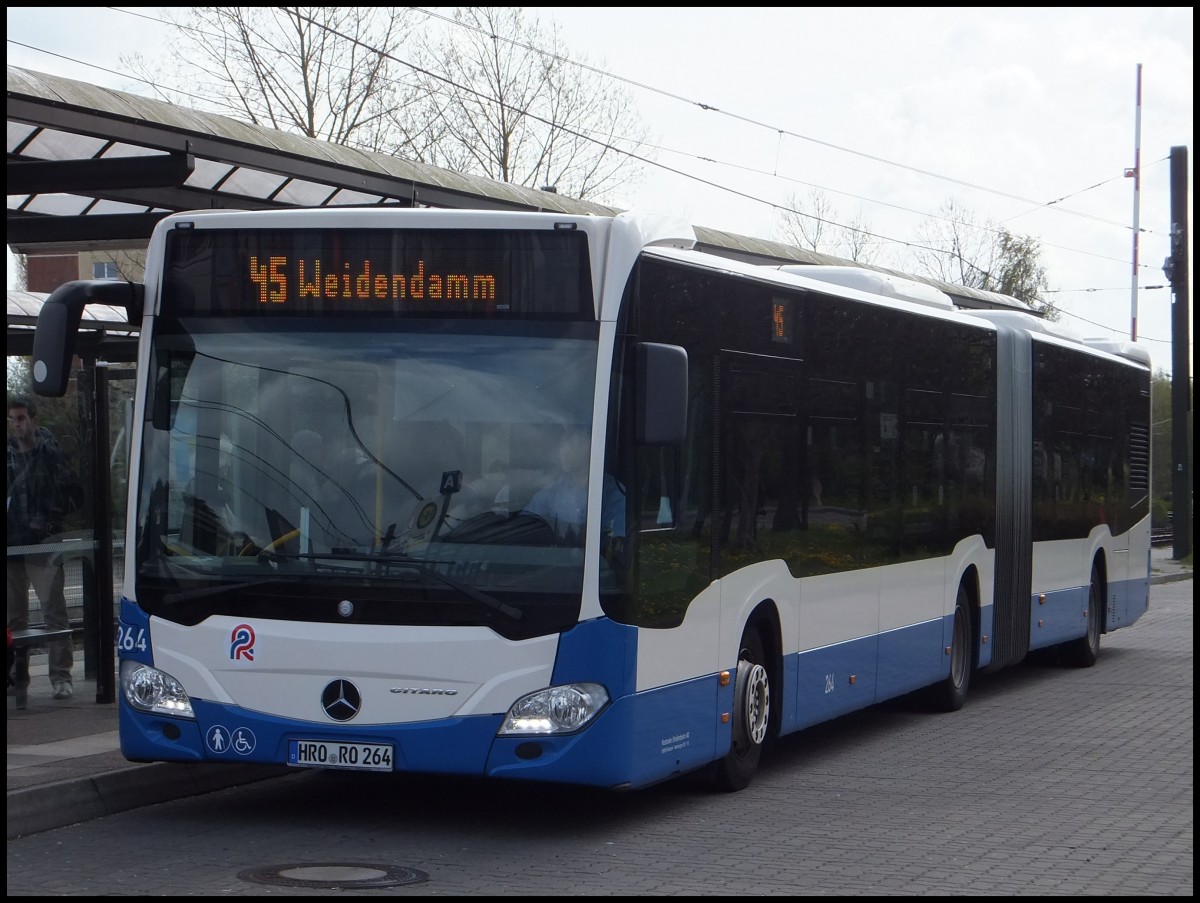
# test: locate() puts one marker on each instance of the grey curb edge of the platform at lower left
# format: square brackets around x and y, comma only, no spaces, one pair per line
[69,803]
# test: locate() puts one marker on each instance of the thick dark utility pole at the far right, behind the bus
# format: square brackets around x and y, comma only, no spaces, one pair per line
[1177,270]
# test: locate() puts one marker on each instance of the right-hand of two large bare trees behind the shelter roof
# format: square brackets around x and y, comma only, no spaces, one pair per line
[518,110]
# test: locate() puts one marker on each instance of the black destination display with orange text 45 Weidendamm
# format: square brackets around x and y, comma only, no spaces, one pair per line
[379,273]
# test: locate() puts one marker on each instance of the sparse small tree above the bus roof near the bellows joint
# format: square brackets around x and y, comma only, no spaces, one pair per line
[957,249]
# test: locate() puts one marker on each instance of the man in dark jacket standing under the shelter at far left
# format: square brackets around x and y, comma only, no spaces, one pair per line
[43,491]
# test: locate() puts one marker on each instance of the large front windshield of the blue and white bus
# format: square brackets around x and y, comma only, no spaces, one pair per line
[290,468]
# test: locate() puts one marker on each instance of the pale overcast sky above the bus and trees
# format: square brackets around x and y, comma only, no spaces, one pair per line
[1027,118]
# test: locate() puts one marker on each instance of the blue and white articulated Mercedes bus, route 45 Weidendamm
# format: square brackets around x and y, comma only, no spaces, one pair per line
[565,499]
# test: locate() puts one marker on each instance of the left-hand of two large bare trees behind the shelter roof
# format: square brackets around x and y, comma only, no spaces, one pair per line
[322,71]
